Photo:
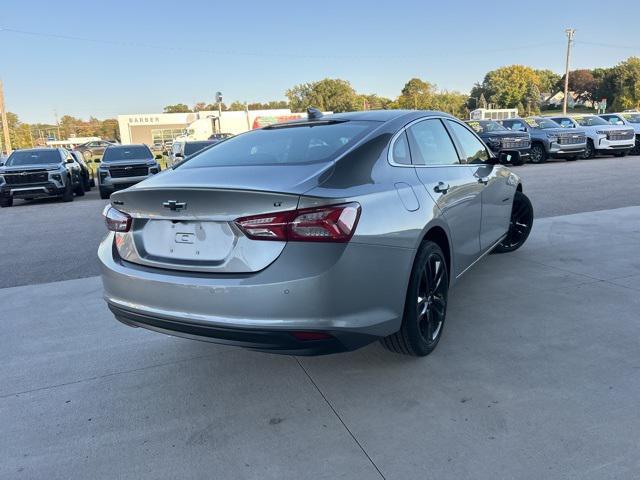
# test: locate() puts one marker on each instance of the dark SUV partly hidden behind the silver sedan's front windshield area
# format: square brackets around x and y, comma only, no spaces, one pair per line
[502,141]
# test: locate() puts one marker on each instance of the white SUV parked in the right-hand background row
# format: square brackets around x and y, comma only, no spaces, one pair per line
[602,137]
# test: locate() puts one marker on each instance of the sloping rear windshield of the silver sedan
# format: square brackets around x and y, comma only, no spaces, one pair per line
[320,142]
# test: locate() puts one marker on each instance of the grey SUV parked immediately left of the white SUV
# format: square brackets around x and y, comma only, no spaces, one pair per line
[548,139]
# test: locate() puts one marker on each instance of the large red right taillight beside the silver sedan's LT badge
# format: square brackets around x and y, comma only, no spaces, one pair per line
[334,223]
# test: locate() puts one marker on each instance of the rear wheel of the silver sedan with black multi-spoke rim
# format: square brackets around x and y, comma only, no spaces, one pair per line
[425,306]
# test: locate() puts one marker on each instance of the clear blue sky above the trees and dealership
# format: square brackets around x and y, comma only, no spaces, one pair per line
[167,52]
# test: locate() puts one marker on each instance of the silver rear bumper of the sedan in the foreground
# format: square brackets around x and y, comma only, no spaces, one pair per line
[353,292]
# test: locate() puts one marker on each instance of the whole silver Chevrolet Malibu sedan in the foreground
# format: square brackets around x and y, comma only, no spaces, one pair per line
[315,236]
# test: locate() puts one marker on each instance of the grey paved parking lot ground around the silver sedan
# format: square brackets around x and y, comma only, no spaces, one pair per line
[537,374]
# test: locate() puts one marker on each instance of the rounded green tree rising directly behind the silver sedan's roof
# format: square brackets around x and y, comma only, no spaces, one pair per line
[330,94]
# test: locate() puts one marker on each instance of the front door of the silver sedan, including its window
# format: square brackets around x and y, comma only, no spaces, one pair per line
[493,181]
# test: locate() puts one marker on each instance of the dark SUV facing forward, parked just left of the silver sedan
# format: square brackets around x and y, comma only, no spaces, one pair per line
[123,166]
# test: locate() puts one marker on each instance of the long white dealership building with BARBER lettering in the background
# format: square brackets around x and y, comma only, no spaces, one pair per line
[150,128]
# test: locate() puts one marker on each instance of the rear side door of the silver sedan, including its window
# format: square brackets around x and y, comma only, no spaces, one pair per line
[452,186]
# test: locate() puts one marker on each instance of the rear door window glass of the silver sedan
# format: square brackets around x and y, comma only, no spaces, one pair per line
[431,144]
